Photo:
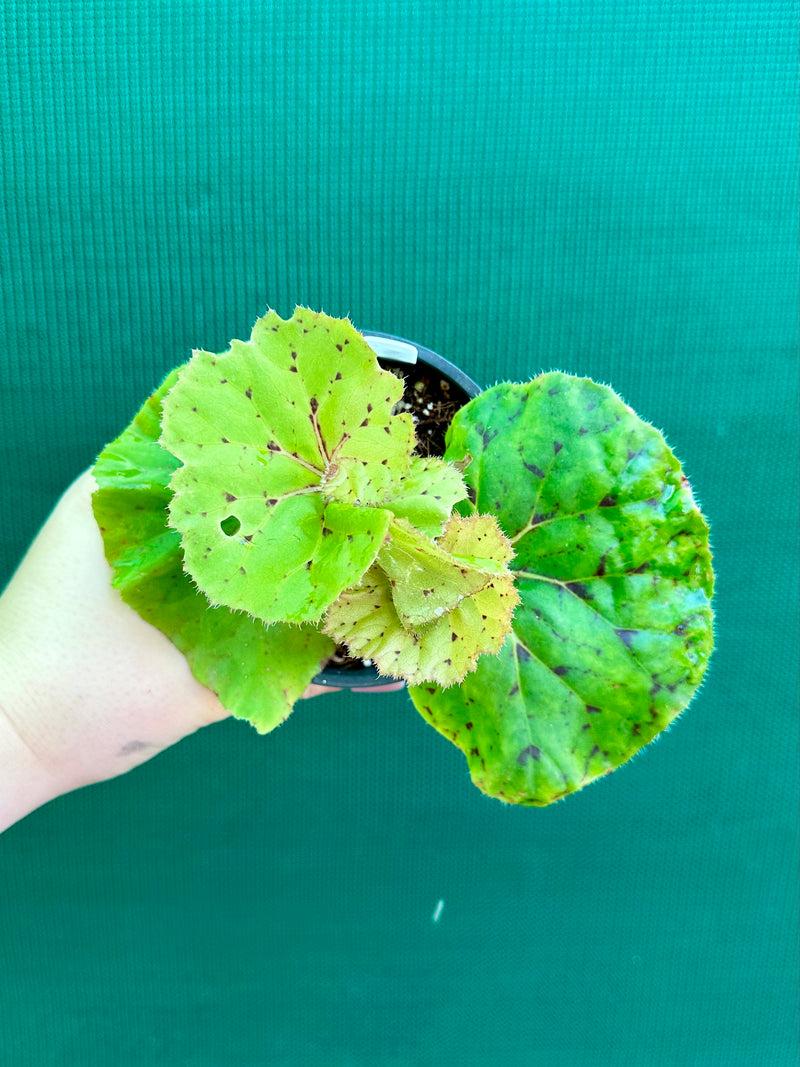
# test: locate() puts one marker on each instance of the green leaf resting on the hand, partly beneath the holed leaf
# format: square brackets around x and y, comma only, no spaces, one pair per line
[258,672]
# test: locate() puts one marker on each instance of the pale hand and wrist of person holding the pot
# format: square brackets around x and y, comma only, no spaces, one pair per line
[88,689]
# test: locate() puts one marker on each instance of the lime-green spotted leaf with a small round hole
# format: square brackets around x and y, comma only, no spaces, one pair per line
[289,445]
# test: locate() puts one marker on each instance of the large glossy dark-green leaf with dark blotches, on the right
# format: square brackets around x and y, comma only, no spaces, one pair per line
[615,628]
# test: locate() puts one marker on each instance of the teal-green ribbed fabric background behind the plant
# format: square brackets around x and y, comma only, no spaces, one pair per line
[607,188]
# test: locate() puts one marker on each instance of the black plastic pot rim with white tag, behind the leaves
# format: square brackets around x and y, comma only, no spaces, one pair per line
[398,354]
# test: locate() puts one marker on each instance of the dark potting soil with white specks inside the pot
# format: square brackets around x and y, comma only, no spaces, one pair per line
[433,402]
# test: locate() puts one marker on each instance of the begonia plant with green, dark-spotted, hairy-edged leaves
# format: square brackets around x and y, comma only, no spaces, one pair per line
[543,587]
